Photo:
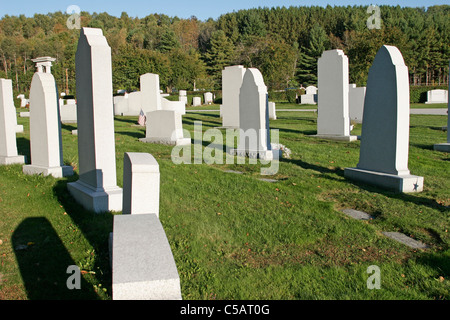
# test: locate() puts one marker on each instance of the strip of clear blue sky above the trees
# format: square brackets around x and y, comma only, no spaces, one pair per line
[202,9]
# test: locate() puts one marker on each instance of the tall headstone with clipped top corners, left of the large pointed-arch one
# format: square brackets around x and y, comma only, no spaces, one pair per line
[333,120]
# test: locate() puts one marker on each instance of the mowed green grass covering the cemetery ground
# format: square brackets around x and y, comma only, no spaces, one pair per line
[234,236]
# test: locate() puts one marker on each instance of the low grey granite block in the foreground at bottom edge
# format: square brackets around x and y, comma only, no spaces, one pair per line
[143,267]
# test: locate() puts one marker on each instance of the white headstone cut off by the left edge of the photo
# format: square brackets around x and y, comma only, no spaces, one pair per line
[8,143]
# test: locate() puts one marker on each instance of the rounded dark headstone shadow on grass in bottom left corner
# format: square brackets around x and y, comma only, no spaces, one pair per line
[43,264]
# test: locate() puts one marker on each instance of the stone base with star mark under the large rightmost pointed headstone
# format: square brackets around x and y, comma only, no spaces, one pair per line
[403,184]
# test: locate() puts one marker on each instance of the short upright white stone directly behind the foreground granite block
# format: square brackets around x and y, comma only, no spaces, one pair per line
[141,180]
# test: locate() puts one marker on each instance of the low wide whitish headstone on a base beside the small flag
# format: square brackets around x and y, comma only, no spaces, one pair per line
[165,127]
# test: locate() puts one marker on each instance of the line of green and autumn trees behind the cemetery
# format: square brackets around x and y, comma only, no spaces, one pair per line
[284,43]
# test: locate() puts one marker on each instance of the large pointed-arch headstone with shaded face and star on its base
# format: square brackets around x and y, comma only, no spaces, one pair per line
[385,131]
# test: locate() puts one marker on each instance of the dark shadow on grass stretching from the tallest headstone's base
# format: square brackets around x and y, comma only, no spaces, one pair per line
[94,227]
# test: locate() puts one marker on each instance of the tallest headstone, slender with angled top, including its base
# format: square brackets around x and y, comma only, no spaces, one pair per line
[96,188]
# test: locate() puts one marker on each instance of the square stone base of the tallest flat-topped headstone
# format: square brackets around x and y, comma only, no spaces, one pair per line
[97,200]
